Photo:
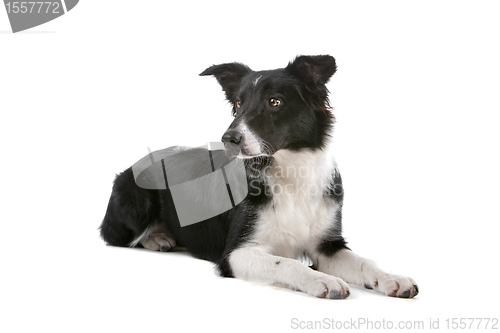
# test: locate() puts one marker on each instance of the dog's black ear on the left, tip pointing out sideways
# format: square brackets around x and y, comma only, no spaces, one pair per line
[229,77]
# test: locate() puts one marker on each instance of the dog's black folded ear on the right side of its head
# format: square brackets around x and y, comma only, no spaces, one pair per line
[314,71]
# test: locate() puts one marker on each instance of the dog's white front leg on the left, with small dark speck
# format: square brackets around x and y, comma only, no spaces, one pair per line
[256,263]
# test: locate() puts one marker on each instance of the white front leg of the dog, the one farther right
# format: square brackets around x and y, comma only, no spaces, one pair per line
[363,272]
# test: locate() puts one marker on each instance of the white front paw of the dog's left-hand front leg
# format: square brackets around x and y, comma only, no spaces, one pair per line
[326,286]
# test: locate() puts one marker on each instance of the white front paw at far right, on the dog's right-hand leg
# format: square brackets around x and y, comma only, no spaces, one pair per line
[395,286]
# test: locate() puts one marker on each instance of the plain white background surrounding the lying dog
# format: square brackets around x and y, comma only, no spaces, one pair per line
[417,101]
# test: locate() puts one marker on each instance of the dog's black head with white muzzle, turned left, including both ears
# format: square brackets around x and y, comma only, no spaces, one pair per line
[285,108]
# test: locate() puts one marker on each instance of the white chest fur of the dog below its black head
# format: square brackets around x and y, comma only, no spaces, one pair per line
[299,214]
